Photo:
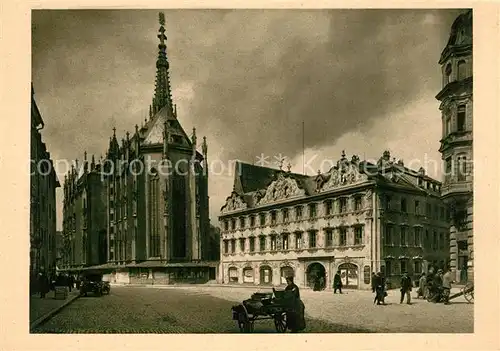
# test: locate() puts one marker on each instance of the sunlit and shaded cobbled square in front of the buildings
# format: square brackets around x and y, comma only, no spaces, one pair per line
[208,310]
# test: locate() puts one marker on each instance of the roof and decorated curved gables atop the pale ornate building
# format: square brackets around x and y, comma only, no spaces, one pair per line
[253,183]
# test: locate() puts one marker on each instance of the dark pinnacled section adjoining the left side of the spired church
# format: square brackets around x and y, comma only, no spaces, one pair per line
[84,220]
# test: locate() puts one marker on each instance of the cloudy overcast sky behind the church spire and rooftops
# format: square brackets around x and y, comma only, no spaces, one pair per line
[360,80]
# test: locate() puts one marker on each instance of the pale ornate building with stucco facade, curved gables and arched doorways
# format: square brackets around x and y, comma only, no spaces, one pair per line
[357,218]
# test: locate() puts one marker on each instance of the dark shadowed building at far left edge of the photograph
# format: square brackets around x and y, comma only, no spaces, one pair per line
[43,184]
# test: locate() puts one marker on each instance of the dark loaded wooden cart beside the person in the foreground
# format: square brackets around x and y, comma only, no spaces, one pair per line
[266,306]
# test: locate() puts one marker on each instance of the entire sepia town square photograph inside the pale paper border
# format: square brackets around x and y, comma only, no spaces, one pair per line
[236,171]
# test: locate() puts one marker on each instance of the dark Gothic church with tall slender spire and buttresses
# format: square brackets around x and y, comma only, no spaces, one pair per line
[154,188]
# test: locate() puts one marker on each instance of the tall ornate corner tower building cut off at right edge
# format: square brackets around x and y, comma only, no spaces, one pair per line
[456,144]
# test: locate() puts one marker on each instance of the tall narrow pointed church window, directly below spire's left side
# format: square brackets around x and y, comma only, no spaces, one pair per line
[153,198]
